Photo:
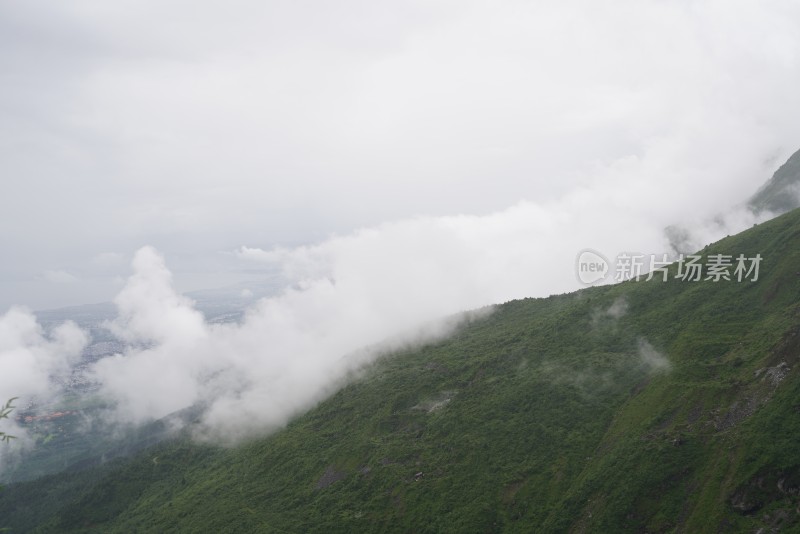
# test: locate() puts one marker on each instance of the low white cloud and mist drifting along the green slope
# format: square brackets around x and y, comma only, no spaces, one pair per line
[351,298]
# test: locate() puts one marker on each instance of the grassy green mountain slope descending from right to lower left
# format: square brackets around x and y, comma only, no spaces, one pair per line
[639,407]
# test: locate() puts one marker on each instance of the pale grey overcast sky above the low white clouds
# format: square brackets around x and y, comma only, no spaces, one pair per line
[201,127]
